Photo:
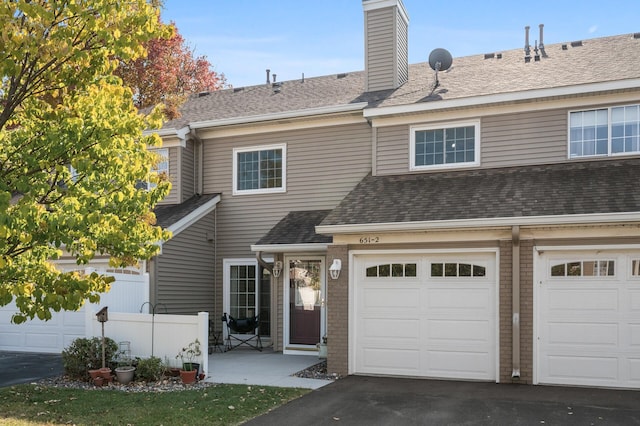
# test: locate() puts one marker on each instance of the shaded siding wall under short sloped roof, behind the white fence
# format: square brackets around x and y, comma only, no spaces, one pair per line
[185,270]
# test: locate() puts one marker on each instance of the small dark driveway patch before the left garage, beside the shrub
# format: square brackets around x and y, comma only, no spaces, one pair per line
[26,367]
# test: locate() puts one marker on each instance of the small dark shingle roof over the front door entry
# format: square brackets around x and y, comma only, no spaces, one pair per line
[297,228]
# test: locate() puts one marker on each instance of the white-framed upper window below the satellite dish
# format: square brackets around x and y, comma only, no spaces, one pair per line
[454,145]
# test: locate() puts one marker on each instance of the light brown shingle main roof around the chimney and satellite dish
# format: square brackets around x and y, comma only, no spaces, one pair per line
[595,61]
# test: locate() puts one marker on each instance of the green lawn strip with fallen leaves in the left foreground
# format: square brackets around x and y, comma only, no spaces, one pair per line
[215,405]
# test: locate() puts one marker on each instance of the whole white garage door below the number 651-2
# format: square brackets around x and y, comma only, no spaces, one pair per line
[426,315]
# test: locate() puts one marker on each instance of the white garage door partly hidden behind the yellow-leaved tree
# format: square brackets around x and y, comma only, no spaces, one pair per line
[127,294]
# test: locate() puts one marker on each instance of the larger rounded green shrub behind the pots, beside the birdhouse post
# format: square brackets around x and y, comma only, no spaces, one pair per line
[85,354]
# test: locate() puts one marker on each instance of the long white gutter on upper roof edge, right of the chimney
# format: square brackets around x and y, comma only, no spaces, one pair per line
[526,95]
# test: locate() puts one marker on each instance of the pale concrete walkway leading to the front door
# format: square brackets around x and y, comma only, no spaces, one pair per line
[266,368]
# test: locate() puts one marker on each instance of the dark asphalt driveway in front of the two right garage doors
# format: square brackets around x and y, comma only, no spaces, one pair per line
[357,400]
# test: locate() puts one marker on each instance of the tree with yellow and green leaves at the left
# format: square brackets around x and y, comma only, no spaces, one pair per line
[72,149]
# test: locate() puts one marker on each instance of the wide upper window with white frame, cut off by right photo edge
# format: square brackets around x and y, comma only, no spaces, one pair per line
[606,131]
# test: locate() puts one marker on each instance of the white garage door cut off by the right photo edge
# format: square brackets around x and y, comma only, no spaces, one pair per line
[588,318]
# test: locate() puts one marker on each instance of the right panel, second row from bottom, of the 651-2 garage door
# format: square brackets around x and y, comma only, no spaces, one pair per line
[453,331]
